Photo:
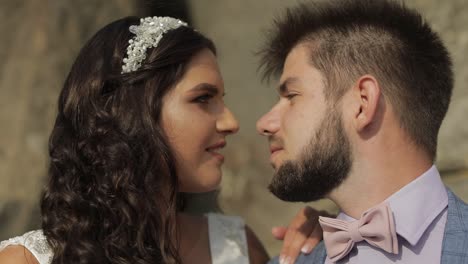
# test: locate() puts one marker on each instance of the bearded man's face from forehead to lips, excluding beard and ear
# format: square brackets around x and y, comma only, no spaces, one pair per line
[299,111]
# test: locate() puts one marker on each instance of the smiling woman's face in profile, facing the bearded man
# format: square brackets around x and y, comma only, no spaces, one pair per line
[197,122]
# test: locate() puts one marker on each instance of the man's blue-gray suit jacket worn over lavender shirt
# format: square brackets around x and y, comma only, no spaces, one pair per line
[454,245]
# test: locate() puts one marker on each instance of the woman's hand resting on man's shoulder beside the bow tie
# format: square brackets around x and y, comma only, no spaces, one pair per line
[302,234]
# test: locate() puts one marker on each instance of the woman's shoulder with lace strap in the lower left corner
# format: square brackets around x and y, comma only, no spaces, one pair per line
[31,247]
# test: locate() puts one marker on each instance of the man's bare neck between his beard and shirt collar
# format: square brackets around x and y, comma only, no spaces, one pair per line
[376,174]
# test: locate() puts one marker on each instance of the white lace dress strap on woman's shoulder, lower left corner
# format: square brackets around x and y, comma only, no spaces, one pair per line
[35,242]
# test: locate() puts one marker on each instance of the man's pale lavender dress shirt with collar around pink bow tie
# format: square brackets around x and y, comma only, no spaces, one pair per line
[420,213]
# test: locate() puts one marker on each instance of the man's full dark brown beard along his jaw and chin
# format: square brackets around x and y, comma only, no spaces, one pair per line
[323,166]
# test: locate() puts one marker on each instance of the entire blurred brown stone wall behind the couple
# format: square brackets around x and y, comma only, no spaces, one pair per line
[41,39]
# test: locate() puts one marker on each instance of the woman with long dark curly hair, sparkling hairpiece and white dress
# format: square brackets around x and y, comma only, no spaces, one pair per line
[141,120]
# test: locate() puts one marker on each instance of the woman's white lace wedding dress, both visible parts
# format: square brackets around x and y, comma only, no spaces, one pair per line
[228,242]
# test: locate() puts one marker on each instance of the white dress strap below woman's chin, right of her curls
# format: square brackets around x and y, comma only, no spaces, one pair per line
[228,242]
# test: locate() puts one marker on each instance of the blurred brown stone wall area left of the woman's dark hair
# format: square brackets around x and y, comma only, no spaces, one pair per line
[39,41]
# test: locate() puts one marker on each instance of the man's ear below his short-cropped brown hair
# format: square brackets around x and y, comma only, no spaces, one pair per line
[366,96]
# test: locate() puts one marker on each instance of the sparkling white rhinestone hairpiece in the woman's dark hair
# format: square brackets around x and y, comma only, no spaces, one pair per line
[147,35]
